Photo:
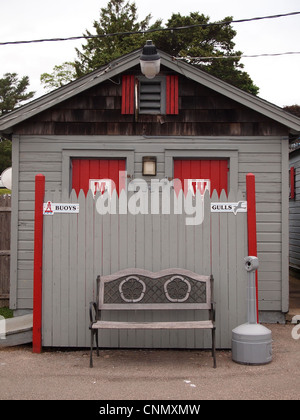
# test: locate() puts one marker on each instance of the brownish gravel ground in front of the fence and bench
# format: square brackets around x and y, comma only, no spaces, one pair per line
[150,374]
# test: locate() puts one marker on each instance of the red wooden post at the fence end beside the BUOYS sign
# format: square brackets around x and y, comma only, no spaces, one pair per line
[38,263]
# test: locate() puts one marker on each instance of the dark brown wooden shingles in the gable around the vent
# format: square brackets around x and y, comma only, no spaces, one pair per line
[201,112]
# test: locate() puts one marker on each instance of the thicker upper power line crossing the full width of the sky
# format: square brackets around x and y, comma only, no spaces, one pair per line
[149,31]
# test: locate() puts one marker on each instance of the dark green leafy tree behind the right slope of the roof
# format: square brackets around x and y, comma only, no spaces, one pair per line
[206,40]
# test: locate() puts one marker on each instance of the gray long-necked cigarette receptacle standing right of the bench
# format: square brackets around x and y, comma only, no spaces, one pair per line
[251,342]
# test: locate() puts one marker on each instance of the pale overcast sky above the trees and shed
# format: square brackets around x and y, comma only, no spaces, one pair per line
[277,77]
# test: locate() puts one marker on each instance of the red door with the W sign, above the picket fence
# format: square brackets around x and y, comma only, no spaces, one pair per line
[214,170]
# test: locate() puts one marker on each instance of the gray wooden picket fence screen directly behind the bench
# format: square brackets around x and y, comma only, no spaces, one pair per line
[79,247]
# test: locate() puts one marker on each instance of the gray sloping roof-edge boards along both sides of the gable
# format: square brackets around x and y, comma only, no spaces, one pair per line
[128,61]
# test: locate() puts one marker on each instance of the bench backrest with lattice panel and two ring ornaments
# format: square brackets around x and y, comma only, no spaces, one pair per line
[167,289]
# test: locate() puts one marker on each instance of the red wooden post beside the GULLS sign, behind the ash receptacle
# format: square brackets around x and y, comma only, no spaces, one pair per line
[251,216]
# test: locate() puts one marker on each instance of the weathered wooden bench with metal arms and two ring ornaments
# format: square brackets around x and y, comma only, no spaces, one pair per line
[135,289]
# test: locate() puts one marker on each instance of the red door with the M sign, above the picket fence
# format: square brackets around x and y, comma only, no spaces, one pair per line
[83,170]
